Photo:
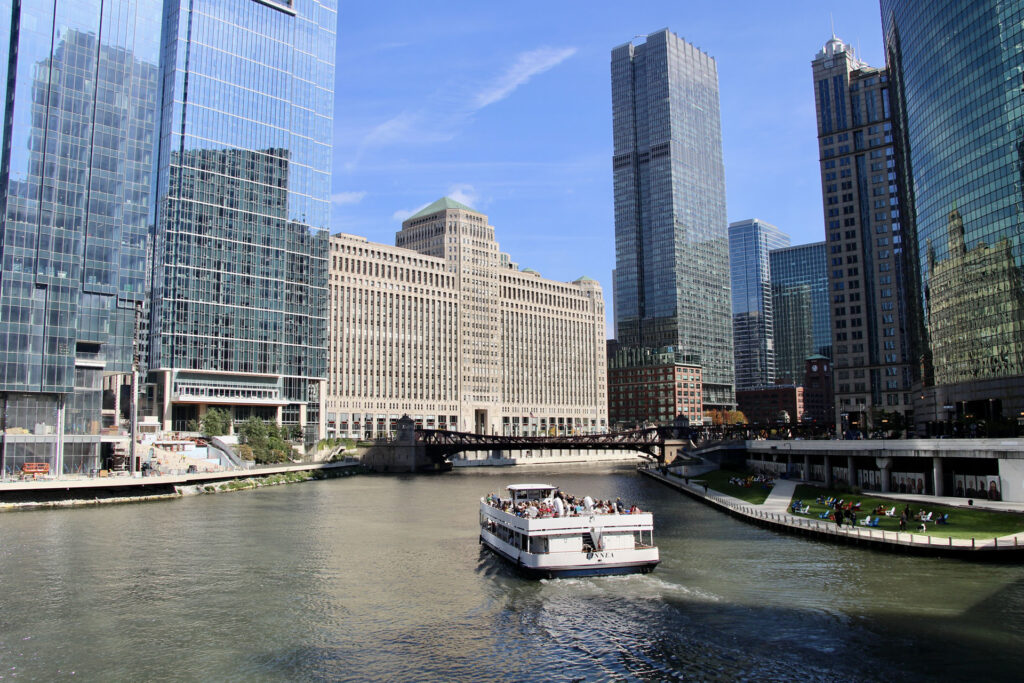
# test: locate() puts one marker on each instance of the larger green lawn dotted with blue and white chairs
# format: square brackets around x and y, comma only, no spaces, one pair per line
[964,523]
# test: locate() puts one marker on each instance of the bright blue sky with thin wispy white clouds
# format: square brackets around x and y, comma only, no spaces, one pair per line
[506,107]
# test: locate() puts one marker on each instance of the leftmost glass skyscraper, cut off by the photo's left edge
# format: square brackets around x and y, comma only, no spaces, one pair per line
[81,112]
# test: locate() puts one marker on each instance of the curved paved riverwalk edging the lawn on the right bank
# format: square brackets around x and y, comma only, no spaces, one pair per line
[776,514]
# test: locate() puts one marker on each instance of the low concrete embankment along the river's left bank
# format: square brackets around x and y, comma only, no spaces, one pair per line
[81,491]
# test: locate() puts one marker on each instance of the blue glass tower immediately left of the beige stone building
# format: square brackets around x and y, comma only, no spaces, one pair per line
[240,284]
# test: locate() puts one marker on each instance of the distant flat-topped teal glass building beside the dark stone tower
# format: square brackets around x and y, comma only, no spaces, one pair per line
[800,309]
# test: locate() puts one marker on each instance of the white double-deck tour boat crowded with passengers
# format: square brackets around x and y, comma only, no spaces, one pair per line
[537,530]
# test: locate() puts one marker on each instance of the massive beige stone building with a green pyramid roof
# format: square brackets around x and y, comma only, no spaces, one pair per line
[447,329]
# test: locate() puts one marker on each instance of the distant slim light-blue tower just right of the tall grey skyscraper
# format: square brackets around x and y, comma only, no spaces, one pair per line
[753,326]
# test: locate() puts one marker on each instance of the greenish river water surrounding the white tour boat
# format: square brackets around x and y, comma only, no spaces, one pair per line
[382,578]
